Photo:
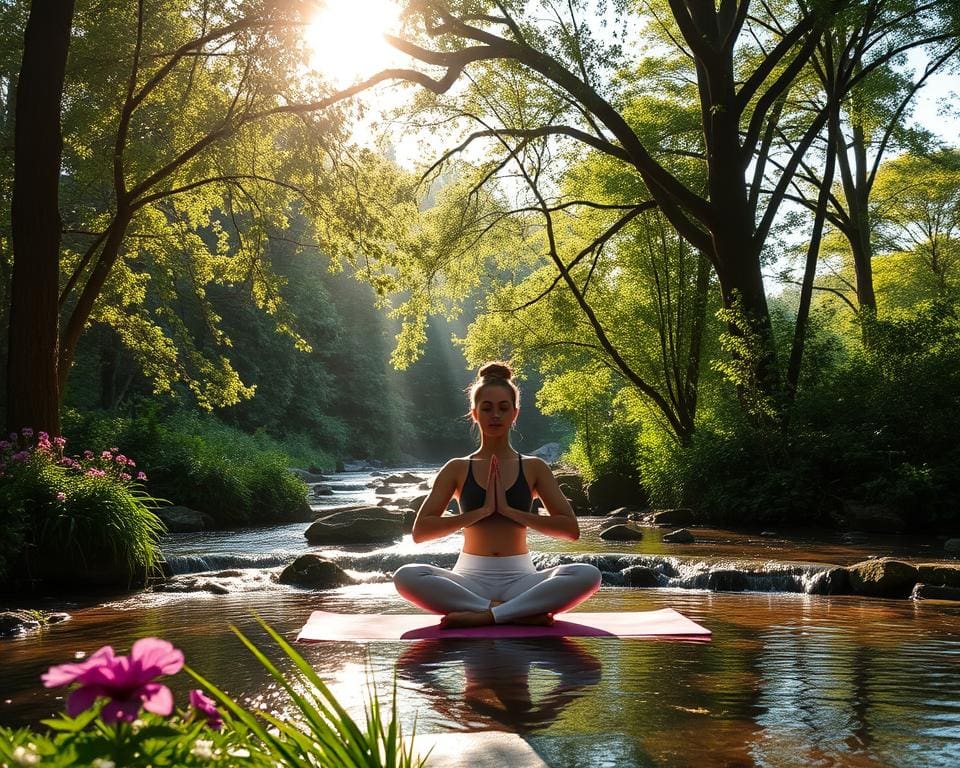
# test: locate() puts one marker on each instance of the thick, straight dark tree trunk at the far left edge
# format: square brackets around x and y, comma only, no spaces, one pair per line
[33,392]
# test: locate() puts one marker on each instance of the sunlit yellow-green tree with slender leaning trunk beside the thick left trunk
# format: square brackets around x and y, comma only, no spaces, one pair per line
[255,135]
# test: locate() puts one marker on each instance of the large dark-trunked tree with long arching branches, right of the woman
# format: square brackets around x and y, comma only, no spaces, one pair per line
[742,66]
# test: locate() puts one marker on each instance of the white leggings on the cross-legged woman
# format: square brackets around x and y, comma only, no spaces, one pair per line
[476,580]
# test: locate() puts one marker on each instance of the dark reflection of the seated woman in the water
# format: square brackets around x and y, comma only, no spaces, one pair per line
[507,684]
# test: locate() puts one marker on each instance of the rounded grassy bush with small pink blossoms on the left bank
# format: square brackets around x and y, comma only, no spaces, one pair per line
[81,518]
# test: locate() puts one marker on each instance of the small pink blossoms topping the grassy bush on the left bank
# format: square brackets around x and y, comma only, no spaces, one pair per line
[21,448]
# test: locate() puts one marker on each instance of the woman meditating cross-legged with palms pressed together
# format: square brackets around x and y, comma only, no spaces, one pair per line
[494,580]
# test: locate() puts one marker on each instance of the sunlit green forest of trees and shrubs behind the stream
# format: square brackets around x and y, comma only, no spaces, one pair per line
[217,283]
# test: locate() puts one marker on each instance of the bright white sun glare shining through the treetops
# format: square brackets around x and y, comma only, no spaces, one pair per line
[346,39]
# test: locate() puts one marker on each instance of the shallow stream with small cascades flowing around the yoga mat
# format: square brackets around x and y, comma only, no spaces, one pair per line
[790,677]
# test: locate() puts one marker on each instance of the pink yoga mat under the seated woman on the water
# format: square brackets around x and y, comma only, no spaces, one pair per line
[665,623]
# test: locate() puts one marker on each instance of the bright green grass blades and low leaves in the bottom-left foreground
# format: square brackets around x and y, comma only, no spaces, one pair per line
[321,733]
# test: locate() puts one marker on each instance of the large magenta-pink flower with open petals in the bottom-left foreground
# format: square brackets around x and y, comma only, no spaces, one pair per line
[127,681]
